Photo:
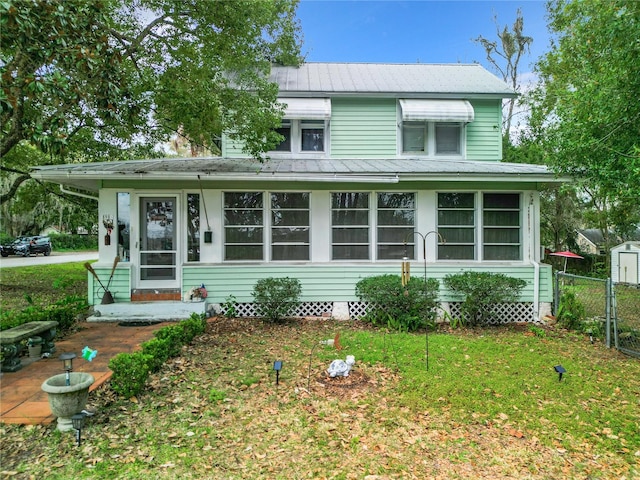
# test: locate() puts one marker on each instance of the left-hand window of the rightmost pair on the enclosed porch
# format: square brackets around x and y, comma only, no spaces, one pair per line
[457,226]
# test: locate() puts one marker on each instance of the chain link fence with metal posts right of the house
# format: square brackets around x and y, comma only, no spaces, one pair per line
[601,307]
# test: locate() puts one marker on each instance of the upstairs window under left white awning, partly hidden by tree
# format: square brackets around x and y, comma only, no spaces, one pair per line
[305,125]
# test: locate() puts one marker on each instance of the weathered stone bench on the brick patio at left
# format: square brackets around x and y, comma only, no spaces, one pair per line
[10,342]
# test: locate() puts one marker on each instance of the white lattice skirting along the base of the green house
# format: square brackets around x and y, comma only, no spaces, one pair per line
[502,313]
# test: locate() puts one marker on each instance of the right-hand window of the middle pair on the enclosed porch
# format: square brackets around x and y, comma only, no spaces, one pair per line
[395,225]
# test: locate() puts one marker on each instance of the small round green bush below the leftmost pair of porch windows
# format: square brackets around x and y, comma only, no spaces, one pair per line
[276,297]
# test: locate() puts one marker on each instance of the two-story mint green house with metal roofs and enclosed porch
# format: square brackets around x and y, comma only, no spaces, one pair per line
[374,154]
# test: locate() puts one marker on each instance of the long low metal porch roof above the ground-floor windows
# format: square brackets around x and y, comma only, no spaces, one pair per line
[88,176]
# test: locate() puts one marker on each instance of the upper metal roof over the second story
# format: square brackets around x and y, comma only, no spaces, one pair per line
[418,80]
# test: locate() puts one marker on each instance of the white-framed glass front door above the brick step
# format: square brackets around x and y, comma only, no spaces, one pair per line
[158,243]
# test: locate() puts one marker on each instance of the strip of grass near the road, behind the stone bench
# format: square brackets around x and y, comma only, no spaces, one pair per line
[41,284]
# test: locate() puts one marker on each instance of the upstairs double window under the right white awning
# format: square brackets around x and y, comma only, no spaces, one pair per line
[434,127]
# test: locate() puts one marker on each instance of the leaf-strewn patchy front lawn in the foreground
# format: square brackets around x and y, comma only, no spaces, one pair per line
[489,406]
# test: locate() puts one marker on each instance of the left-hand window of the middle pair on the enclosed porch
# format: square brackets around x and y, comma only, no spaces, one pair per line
[350,226]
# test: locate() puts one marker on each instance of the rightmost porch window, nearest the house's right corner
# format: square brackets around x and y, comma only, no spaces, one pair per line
[501,223]
